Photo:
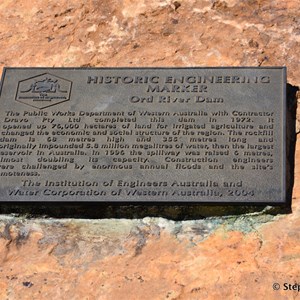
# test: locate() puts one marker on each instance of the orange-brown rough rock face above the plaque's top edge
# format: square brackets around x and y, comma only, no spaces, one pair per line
[151,33]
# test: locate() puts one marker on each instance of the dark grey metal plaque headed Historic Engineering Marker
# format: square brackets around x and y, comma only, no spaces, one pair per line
[198,135]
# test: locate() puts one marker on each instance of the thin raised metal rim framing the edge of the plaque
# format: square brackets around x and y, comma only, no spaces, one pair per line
[286,195]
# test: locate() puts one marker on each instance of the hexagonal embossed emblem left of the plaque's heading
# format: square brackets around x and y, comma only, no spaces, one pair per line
[43,90]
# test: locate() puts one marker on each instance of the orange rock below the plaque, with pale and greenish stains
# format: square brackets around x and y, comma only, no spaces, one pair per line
[149,258]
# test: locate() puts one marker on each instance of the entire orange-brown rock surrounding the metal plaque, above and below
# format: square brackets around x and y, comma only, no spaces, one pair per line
[229,257]
